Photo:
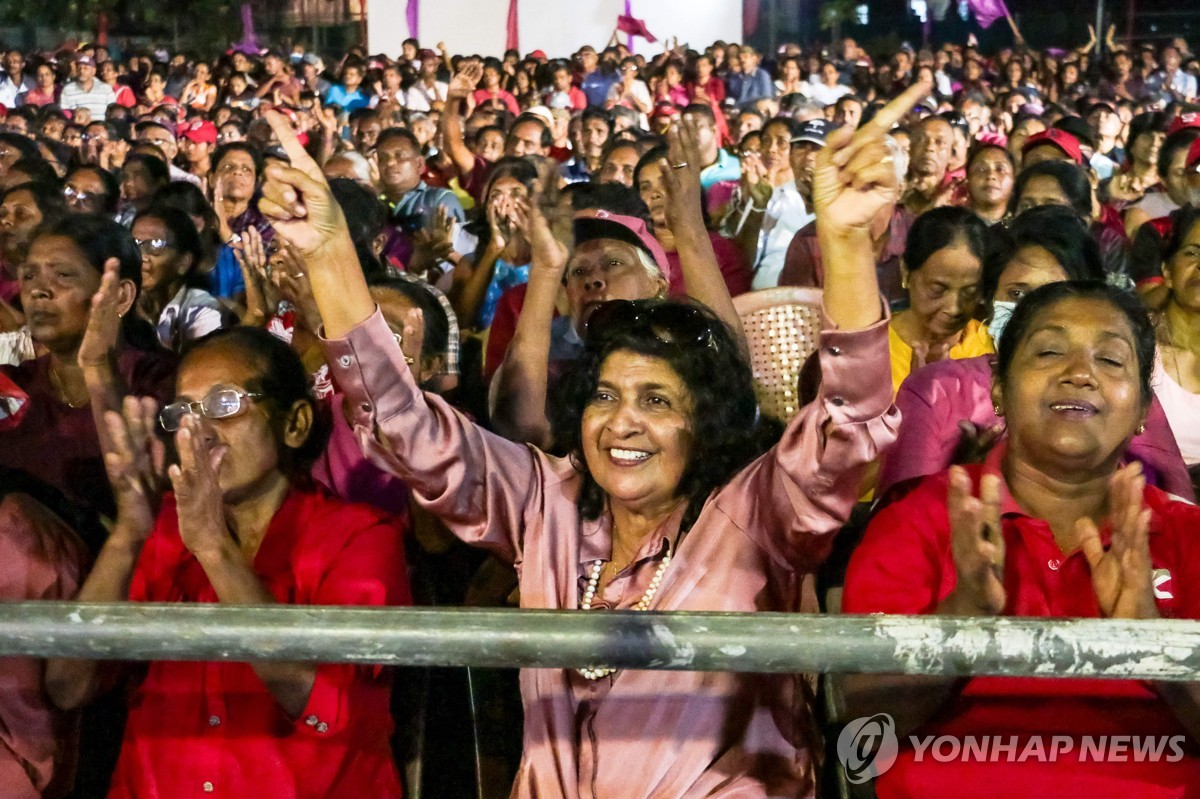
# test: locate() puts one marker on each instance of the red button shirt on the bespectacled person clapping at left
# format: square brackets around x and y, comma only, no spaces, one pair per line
[213,730]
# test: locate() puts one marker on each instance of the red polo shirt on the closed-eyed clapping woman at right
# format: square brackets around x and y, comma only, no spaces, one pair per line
[904,566]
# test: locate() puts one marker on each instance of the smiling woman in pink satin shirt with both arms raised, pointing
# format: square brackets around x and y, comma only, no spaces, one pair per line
[667,502]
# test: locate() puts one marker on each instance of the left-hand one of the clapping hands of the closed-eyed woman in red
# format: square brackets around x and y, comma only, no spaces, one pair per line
[977,545]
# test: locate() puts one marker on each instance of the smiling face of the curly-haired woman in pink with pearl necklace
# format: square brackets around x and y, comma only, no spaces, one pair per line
[638,431]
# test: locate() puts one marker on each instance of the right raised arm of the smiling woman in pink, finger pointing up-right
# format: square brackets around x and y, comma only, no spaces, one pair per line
[806,488]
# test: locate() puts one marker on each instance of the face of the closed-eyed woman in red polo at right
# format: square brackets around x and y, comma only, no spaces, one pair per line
[1073,399]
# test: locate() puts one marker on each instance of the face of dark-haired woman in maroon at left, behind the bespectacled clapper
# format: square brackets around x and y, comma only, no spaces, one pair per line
[57,286]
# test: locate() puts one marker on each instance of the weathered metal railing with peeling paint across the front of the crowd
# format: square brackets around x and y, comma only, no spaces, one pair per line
[727,642]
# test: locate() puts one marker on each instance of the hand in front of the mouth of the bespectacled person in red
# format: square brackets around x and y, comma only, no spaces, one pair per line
[199,500]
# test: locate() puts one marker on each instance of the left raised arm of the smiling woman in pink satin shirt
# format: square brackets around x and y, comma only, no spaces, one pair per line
[478,484]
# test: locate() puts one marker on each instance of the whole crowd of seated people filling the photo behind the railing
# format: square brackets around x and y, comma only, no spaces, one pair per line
[460,331]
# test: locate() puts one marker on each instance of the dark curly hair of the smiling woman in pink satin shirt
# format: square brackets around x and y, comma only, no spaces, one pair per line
[727,428]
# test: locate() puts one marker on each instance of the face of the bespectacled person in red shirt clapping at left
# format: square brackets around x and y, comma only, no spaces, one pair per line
[248,441]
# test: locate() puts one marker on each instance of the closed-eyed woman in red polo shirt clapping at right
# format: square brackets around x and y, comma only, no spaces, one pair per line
[1049,526]
